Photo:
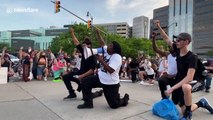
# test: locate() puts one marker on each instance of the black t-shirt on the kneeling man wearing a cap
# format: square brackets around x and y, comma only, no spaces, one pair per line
[184,63]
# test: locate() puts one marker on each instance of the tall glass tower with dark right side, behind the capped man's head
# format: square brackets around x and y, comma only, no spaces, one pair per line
[194,17]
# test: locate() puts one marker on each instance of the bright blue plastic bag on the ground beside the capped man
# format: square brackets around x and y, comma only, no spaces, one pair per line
[166,109]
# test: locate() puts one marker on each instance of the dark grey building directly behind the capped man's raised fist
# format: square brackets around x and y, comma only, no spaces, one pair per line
[161,14]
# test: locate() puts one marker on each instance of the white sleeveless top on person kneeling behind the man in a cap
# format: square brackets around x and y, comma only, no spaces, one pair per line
[172,65]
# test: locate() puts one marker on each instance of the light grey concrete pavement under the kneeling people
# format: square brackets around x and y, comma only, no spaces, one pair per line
[40,100]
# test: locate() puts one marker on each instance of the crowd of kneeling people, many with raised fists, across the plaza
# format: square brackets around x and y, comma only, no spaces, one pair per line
[104,67]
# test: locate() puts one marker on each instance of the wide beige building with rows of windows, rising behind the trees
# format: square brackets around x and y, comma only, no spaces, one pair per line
[121,28]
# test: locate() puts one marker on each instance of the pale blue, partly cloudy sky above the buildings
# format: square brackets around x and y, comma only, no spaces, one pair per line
[33,14]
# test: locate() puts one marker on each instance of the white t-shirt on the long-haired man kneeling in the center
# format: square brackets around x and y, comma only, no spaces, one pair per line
[115,62]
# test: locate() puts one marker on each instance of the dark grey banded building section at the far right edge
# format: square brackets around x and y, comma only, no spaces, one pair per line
[203,26]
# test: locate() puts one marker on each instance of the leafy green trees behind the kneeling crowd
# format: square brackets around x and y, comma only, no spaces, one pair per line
[130,46]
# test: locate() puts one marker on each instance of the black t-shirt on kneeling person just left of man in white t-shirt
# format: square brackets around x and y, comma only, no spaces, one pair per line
[86,64]
